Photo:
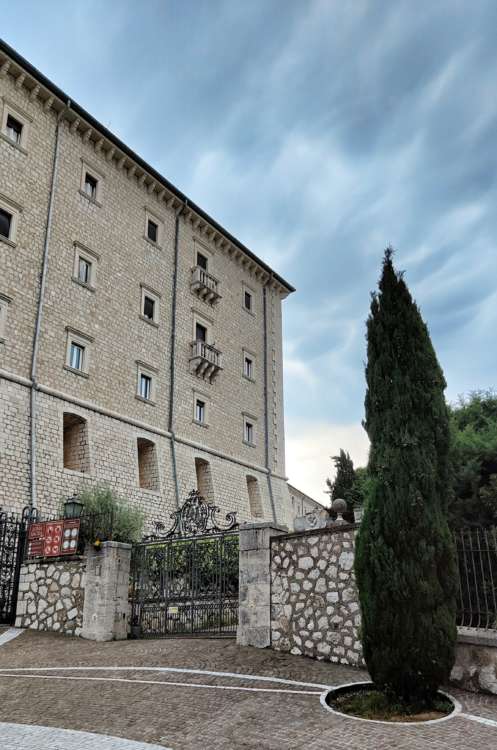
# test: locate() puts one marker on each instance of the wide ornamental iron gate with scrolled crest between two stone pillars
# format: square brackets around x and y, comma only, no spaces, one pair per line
[185,581]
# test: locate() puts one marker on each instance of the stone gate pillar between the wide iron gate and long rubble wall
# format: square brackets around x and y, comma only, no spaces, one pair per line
[254,616]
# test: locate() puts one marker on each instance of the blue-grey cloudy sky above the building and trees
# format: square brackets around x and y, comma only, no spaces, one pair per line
[317,132]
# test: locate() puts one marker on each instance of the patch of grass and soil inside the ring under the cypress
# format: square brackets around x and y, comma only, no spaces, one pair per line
[368,703]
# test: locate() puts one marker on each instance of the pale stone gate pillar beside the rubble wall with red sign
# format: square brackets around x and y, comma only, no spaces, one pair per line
[106,607]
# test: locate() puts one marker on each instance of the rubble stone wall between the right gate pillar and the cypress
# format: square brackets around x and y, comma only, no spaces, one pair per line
[314,598]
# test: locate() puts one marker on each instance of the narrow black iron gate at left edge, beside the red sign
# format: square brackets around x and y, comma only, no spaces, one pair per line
[12,540]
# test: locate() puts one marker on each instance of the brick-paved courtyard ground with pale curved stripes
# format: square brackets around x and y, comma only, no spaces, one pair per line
[195,693]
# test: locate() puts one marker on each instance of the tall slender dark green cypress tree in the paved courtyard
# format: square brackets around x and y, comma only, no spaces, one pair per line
[405,559]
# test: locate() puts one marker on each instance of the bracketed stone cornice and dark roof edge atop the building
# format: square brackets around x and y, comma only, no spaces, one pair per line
[45,93]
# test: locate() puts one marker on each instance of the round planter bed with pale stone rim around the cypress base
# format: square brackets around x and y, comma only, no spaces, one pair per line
[362,701]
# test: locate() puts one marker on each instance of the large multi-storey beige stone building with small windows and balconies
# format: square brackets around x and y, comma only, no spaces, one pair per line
[140,343]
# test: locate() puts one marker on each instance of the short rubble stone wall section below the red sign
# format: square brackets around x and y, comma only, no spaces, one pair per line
[51,596]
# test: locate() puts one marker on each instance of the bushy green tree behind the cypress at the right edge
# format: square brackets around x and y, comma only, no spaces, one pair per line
[473,422]
